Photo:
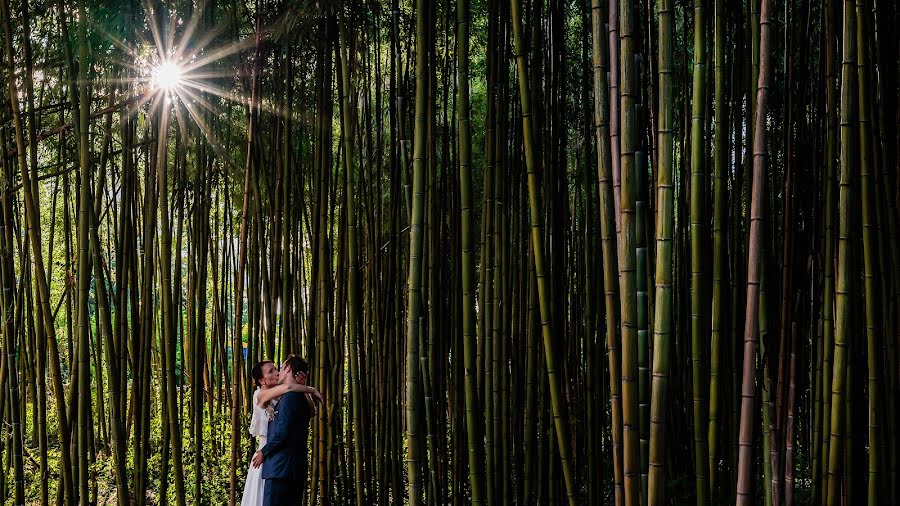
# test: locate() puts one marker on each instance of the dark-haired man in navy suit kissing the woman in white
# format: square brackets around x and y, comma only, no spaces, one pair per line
[284,455]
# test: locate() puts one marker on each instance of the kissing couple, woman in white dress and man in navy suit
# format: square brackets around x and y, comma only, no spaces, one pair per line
[282,406]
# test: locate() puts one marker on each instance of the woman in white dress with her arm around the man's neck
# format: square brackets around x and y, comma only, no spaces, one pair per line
[268,390]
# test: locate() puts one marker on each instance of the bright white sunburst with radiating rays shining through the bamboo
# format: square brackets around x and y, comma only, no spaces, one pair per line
[177,67]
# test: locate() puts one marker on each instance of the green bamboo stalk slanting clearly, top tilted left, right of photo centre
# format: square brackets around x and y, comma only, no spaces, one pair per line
[557,400]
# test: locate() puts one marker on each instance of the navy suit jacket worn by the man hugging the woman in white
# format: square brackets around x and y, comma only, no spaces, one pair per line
[285,450]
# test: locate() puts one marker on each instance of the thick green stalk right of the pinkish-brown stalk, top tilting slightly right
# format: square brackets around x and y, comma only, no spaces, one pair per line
[842,301]
